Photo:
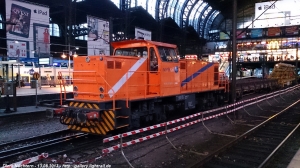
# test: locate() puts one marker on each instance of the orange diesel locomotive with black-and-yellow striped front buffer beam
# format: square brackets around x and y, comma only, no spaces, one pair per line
[142,81]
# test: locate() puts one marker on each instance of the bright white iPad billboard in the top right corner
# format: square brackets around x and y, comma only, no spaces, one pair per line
[280,13]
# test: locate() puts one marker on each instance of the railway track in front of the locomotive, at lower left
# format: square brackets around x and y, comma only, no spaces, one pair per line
[61,140]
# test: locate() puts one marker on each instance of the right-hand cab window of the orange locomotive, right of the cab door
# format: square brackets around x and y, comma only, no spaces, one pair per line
[167,54]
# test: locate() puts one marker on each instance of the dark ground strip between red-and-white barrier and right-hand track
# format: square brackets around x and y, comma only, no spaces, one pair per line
[194,141]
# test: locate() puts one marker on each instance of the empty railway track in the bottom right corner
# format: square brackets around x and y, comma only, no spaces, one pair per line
[258,146]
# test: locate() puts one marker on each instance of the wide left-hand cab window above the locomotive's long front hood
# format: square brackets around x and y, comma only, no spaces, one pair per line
[133,51]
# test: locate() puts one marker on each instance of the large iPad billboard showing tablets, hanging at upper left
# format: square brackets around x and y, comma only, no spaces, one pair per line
[29,30]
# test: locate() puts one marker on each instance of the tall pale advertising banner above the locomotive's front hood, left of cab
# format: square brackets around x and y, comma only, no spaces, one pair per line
[98,36]
